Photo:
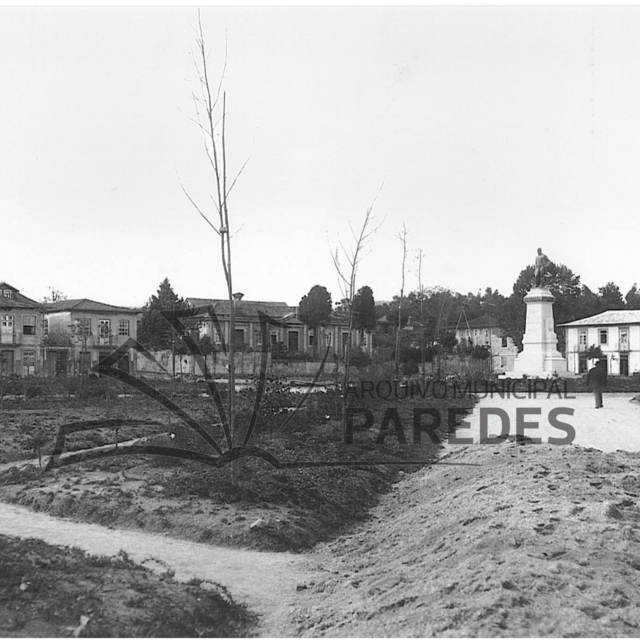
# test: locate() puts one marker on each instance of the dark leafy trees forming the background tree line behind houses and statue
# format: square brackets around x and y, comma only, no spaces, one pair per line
[434,313]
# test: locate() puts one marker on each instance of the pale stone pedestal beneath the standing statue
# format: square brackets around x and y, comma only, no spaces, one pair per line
[540,356]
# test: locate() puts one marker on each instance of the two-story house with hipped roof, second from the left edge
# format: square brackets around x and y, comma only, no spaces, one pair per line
[81,332]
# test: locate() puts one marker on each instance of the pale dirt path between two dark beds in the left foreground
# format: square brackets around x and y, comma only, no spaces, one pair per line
[266,582]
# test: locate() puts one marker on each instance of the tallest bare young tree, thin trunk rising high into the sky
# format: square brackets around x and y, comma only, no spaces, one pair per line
[210,107]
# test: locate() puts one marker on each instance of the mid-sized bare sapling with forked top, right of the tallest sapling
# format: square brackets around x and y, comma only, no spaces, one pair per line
[346,261]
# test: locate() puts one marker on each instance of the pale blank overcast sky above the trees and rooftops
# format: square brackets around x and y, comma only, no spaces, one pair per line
[488,130]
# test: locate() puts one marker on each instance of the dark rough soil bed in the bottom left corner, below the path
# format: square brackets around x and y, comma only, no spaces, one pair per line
[54,592]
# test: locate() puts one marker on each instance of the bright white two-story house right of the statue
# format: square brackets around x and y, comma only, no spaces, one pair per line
[617,333]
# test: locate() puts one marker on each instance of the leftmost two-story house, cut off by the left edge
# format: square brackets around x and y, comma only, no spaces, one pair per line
[20,332]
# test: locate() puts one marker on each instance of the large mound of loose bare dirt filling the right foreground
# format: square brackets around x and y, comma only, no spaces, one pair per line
[535,541]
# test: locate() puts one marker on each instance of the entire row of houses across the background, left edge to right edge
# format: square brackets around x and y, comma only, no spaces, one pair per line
[70,336]
